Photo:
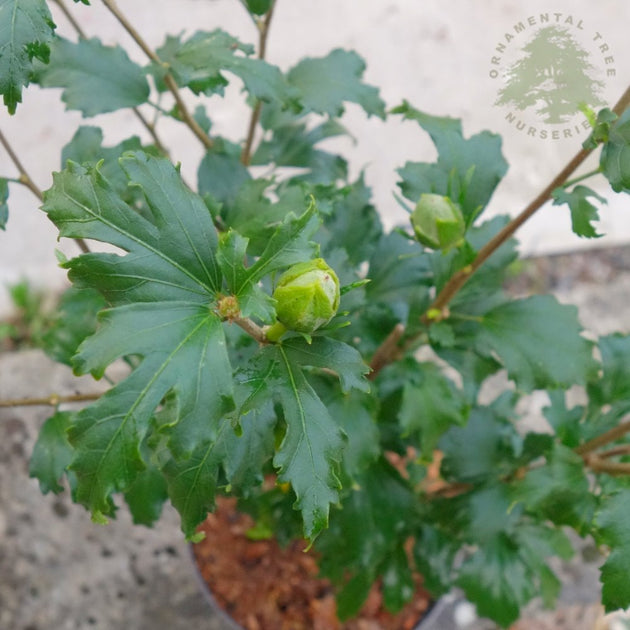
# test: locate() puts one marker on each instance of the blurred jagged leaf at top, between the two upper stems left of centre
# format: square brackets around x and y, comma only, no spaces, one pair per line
[198,63]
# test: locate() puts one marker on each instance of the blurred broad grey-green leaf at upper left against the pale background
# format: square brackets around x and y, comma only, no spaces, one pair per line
[96,78]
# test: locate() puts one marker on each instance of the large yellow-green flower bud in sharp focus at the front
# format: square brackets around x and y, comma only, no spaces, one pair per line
[307,296]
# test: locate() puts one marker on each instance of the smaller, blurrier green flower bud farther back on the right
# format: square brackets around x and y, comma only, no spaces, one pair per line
[438,222]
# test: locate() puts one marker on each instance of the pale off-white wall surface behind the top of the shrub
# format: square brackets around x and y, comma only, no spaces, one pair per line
[434,53]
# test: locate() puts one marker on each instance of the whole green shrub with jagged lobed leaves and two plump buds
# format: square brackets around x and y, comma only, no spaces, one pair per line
[271,328]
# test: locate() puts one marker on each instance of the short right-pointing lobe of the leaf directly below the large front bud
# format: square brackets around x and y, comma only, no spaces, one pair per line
[328,353]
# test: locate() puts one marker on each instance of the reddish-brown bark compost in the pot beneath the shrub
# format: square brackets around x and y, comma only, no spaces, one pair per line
[256,585]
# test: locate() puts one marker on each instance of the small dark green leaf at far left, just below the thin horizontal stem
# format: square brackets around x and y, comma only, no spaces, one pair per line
[52,452]
